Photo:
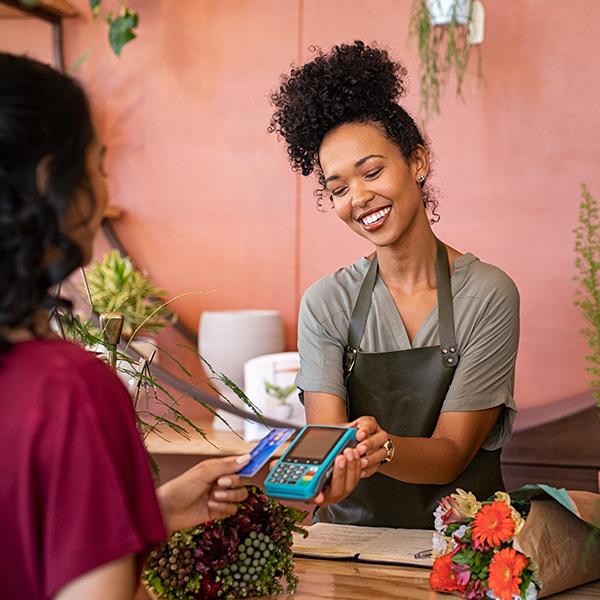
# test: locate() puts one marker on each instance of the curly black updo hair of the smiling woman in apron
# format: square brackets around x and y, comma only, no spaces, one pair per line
[353,83]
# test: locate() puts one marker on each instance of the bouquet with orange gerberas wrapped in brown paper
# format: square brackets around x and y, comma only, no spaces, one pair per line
[506,548]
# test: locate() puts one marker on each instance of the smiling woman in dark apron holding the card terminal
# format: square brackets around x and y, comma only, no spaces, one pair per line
[415,344]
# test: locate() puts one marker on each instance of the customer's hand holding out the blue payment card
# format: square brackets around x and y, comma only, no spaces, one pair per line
[209,490]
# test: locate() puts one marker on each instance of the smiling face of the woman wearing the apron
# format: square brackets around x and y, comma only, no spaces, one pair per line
[374,190]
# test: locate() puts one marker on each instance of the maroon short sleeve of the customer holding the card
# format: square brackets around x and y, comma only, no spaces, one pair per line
[98,498]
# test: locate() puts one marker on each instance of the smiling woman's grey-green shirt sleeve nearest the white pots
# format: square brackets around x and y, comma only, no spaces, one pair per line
[320,348]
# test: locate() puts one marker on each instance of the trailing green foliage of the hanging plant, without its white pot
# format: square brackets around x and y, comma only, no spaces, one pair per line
[442,49]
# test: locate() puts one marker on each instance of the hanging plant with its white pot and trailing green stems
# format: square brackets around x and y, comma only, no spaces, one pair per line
[445,31]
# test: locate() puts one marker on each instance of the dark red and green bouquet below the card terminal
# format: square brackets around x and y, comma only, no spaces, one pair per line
[245,555]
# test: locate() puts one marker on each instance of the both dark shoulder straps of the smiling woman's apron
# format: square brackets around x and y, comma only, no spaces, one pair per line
[358,320]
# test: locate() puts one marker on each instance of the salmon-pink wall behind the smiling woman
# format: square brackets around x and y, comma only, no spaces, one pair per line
[211,203]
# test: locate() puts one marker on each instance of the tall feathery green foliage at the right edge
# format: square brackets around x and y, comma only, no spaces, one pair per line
[587,264]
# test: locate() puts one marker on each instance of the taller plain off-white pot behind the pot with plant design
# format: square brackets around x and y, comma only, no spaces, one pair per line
[227,339]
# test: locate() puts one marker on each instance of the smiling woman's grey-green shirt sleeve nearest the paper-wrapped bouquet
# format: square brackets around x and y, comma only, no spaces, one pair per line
[484,377]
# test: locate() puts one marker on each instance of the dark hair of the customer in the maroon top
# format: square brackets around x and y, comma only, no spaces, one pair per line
[44,116]
